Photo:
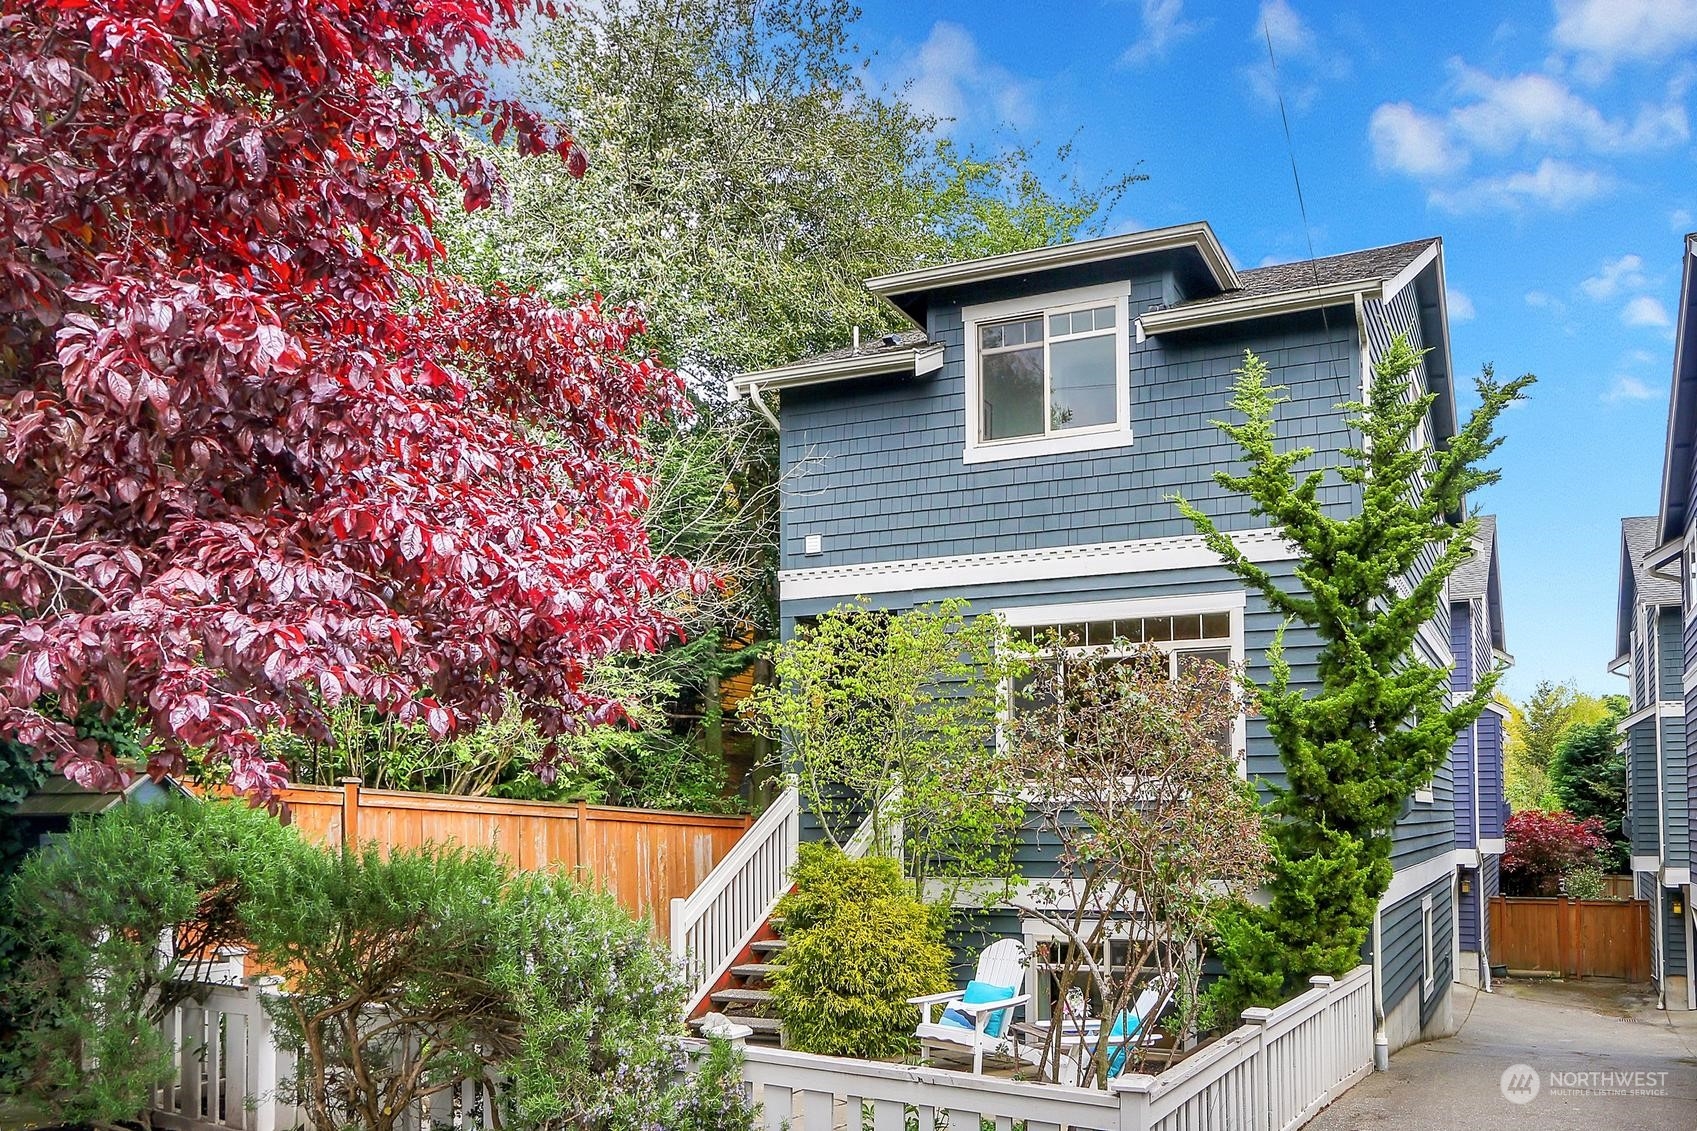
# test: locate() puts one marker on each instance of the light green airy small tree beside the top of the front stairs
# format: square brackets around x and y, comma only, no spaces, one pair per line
[893,717]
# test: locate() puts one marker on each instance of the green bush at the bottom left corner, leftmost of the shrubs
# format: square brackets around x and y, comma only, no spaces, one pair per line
[91,984]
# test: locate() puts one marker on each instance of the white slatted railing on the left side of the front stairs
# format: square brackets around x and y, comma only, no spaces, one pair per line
[722,916]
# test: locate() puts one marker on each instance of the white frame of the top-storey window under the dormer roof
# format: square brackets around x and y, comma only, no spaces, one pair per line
[1097,439]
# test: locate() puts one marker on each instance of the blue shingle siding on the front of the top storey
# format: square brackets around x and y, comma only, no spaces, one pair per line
[877,466]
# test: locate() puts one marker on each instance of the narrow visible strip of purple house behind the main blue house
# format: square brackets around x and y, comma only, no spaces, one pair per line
[1476,763]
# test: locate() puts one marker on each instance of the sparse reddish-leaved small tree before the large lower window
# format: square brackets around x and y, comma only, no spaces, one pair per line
[1131,774]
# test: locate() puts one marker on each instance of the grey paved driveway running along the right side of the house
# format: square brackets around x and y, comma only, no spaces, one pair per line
[1620,1064]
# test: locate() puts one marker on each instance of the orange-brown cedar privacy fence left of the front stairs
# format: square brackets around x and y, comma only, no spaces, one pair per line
[644,858]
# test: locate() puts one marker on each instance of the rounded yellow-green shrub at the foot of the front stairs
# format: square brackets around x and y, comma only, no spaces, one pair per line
[860,947]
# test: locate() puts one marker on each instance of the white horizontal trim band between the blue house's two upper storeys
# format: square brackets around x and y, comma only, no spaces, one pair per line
[1051,565]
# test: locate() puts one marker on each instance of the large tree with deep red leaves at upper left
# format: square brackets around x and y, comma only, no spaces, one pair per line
[259,454]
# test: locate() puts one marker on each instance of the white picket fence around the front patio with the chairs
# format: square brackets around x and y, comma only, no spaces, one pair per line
[1274,1074]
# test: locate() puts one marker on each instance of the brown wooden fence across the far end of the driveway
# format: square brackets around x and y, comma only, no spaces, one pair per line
[1572,938]
